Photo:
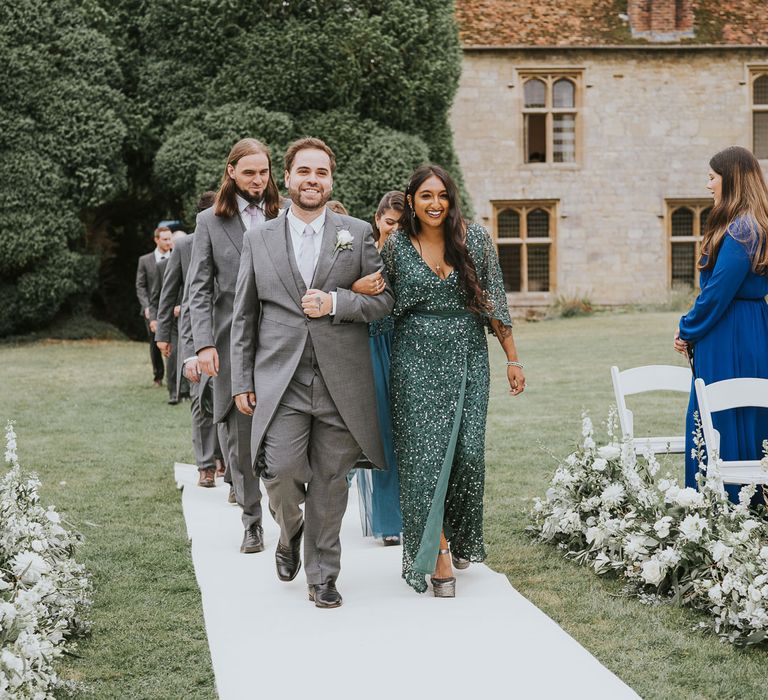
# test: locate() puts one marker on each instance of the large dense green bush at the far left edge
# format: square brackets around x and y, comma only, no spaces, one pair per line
[61,139]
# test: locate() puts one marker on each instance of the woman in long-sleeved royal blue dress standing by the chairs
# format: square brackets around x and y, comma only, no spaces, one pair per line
[726,331]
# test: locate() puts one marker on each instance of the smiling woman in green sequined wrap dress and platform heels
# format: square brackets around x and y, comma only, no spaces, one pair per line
[448,287]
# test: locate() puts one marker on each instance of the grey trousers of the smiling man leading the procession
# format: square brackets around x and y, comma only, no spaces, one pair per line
[308,452]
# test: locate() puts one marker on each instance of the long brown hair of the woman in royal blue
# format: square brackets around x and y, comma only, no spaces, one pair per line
[744,193]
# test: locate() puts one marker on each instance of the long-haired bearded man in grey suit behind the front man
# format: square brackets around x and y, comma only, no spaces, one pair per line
[247,196]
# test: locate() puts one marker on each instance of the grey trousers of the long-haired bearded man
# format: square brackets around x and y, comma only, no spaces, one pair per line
[244,481]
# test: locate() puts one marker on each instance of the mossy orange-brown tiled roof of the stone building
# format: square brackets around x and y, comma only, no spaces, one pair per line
[600,23]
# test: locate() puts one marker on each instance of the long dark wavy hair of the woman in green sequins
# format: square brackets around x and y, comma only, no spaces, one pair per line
[456,253]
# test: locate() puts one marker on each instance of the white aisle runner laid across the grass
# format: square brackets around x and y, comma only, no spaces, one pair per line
[386,642]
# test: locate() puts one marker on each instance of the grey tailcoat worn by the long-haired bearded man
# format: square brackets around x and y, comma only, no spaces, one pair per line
[212,277]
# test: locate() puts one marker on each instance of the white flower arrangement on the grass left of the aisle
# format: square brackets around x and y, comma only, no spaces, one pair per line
[43,591]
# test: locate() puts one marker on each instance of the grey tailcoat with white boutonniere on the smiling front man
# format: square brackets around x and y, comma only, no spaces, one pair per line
[270,329]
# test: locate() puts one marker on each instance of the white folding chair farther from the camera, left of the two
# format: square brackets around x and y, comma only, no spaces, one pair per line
[639,380]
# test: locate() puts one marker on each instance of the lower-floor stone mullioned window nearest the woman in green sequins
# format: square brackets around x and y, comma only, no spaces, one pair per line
[524,232]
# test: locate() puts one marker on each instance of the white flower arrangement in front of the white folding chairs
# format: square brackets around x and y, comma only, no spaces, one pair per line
[607,509]
